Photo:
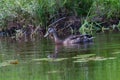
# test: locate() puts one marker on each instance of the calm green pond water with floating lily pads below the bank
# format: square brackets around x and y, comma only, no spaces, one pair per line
[42,60]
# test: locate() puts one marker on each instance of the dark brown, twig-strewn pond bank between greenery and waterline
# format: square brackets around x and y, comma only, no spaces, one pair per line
[66,26]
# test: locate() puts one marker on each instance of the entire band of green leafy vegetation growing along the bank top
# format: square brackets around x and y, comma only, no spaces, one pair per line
[95,13]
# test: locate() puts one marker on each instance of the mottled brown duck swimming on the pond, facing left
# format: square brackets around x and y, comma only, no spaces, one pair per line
[72,39]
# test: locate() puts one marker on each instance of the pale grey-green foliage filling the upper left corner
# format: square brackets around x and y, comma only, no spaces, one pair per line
[12,9]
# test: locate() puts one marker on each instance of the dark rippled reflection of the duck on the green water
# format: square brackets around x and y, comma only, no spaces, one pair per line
[70,50]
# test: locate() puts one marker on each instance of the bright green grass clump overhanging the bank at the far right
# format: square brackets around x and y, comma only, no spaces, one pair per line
[101,13]
